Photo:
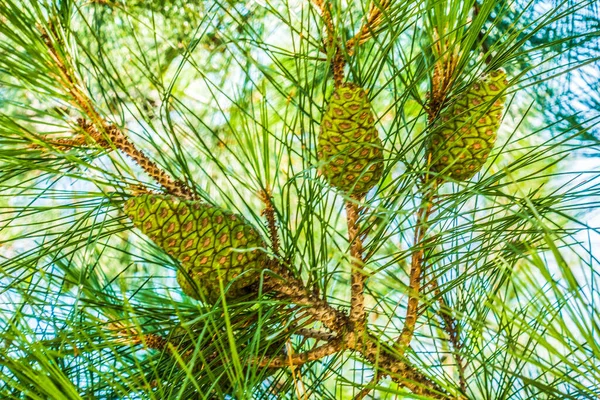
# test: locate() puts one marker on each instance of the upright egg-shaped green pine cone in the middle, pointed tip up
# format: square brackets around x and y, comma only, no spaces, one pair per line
[349,147]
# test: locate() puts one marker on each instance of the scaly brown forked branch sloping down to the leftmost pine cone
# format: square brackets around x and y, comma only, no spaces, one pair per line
[102,133]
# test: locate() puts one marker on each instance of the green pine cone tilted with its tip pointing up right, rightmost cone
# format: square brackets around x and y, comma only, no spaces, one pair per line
[466,131]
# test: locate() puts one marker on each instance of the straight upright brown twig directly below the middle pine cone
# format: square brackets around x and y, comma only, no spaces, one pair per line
[357,298]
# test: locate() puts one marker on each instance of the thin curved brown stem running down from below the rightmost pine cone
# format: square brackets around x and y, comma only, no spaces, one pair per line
[416,267]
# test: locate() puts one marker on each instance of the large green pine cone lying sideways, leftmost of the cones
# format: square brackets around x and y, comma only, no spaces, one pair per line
[208,241]
